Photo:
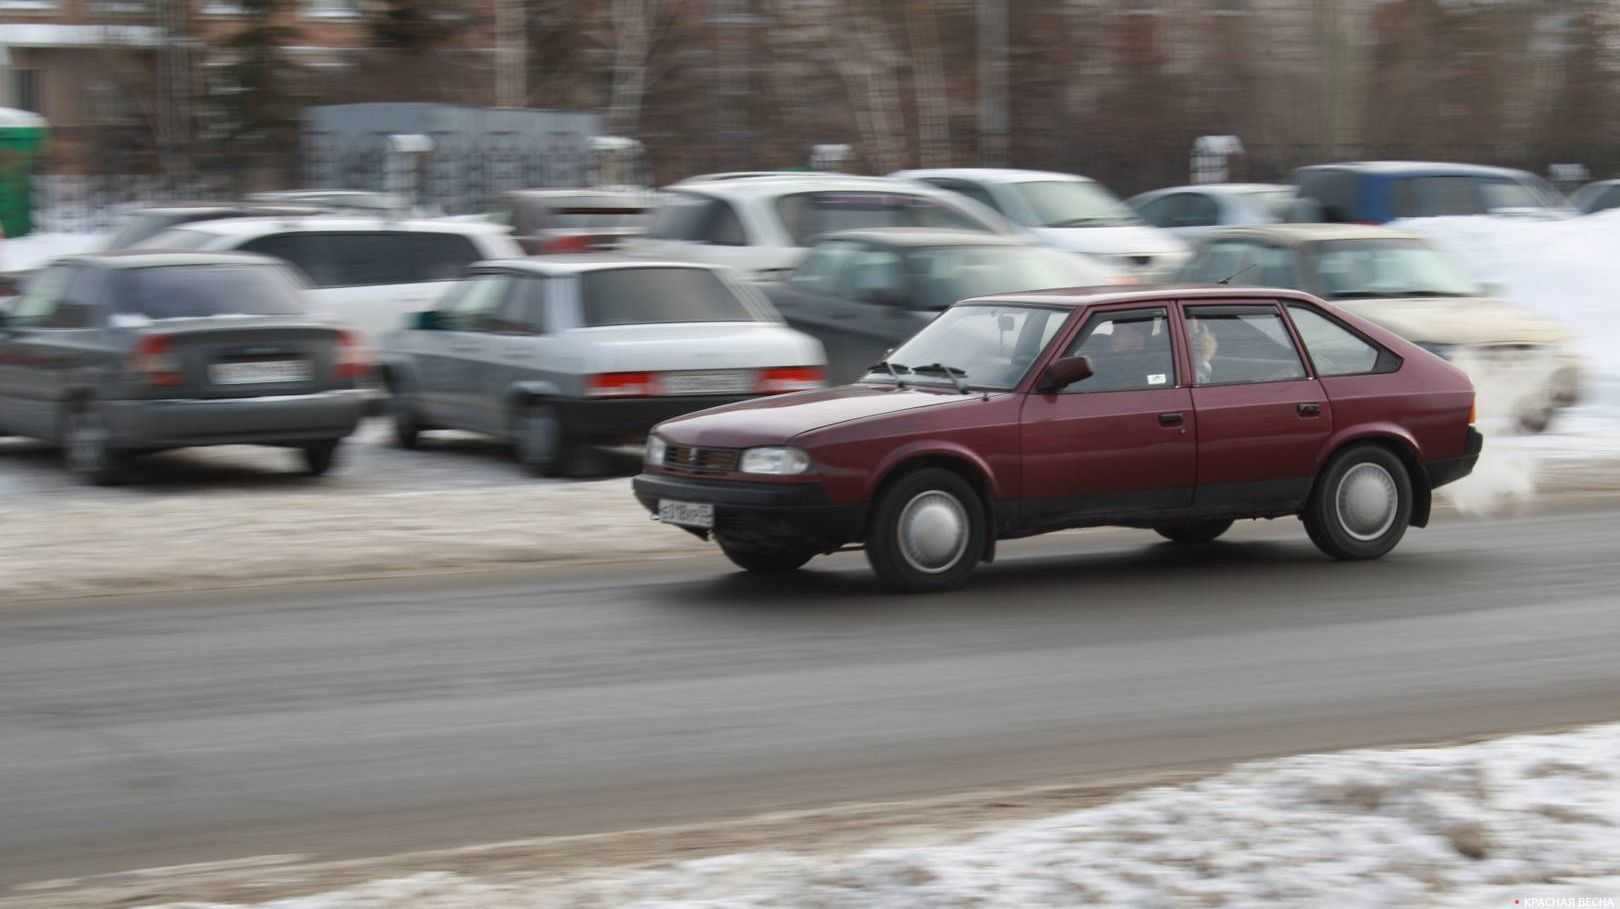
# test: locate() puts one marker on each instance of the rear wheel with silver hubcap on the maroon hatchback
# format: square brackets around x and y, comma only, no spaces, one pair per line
[1362,474]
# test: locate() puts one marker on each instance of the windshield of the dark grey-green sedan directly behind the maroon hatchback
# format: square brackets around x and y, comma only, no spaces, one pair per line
[949,275]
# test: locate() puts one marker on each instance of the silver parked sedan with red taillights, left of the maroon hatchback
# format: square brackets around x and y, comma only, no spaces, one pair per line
[560,352]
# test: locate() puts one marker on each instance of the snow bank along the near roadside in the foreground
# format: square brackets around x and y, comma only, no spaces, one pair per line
[1528,819]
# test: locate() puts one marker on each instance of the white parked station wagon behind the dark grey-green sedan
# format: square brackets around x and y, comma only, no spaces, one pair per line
[762,228]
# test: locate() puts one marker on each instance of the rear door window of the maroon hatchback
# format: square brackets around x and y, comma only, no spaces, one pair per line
[1242,346]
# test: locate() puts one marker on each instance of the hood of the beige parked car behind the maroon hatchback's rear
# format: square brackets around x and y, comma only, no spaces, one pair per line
[1459,320]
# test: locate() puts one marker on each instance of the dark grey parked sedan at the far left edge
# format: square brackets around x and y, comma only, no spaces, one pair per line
[124,354]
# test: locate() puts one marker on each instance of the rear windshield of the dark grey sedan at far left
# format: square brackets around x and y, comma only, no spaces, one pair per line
[189,292]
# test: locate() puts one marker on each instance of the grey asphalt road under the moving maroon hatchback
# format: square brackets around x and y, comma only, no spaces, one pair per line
[373,719]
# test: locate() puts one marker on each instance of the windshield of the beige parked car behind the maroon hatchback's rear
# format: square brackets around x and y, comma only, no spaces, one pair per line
[1350,270]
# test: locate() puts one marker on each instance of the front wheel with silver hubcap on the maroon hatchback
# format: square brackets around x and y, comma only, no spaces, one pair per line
[952,560]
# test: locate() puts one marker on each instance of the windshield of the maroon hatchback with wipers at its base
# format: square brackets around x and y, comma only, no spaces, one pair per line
[989,346]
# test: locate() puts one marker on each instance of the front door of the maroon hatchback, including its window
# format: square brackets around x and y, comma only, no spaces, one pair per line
[1120,445]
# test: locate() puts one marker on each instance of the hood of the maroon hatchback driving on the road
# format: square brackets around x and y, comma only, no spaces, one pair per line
[777,420]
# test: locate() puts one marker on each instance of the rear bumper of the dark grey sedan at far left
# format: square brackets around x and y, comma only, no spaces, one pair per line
[242,420]
